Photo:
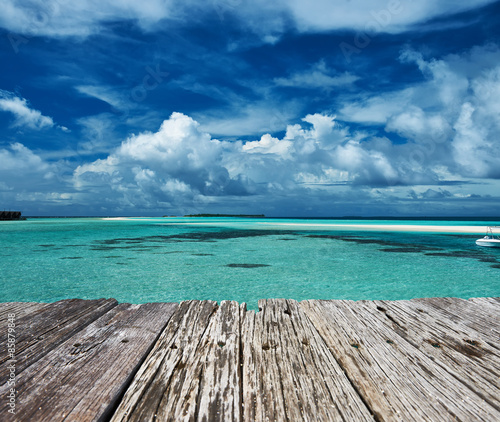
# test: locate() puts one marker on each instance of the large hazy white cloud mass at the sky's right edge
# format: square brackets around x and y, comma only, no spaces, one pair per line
[450,119]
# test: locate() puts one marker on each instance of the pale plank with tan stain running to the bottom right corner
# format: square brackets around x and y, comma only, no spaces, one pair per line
[396,380]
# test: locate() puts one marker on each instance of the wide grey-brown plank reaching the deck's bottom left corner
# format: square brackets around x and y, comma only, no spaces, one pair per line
[84,377]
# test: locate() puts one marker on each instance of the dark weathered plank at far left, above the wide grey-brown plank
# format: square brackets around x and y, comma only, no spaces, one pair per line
[41,331]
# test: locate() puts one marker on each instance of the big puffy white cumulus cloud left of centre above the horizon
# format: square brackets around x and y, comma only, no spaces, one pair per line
[175,164]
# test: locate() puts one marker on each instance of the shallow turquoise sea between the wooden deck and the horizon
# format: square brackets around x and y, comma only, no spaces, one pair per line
[141,260]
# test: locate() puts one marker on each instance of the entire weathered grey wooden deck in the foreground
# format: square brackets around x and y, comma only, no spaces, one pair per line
[421,360]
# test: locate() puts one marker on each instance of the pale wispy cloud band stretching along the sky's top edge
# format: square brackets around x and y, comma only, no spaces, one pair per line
[54,18]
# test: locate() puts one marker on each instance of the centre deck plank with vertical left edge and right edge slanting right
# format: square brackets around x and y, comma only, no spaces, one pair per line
[289,373]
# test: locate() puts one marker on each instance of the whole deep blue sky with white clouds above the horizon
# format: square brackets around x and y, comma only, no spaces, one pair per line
[284,108]
